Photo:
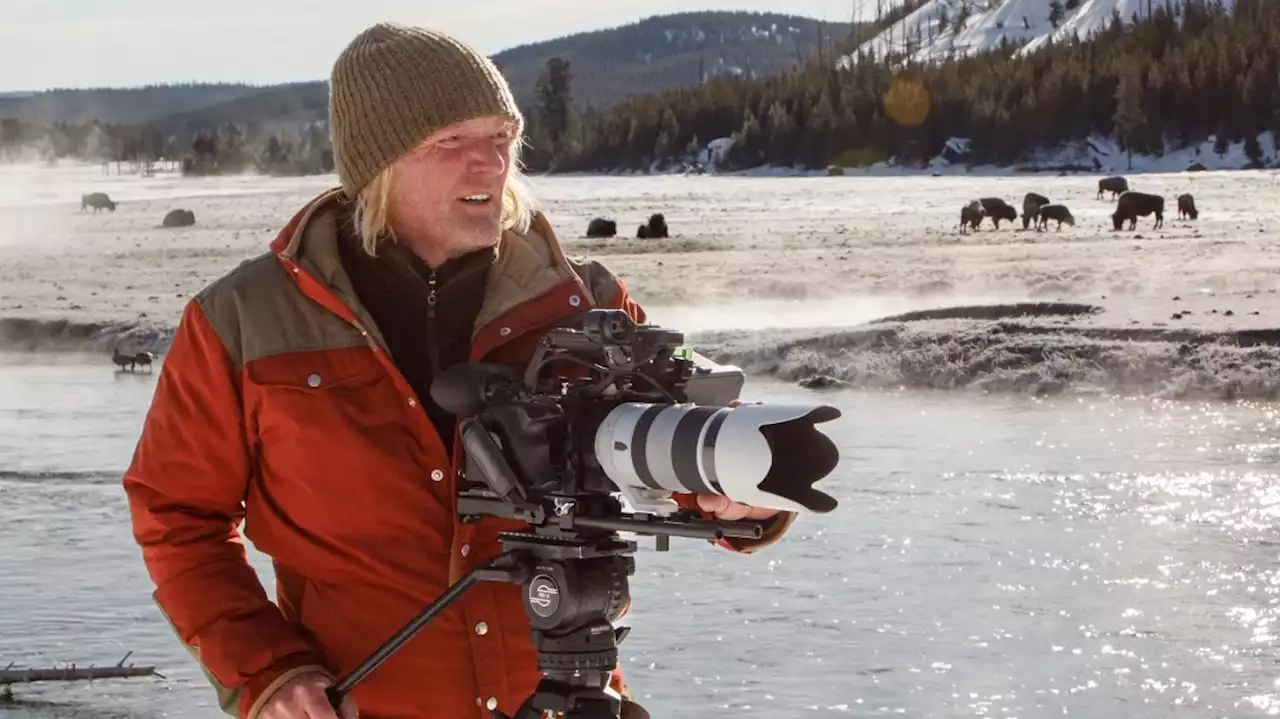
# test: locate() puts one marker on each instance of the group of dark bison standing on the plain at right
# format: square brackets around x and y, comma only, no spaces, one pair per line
[1040,210]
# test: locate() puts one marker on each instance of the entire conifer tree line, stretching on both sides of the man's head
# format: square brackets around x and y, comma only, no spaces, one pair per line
[1188,71]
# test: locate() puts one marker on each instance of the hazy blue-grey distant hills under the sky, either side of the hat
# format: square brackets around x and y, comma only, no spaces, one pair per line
[610,66]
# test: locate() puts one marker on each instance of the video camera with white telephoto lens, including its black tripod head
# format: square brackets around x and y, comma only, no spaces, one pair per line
[607,411]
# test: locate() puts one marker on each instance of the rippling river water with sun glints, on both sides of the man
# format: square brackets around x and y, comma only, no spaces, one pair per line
[993,557]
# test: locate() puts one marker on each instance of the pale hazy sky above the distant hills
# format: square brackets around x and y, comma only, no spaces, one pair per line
[130,43]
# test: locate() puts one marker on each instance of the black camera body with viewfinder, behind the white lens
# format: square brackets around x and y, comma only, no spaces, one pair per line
[546,423]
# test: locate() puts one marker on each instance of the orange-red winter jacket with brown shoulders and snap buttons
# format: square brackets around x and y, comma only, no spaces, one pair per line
[278,405]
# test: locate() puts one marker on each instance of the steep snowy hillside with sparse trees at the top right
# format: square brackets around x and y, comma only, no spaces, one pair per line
[950,29]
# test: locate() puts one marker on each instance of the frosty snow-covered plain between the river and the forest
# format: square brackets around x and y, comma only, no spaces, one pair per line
[792,277]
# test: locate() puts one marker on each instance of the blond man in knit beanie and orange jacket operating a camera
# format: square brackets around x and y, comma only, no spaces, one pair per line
[296,396]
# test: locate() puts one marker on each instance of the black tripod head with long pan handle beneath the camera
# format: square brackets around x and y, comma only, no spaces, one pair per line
[569,603]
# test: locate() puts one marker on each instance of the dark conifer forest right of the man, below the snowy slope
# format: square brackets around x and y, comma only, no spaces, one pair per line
[1187,72]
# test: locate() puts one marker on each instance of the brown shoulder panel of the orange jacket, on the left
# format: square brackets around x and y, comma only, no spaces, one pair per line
[259,312]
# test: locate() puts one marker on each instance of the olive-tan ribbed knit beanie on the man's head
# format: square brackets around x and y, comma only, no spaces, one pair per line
[395,85]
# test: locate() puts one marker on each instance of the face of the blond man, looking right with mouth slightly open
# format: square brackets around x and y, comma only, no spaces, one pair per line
[446,195]
